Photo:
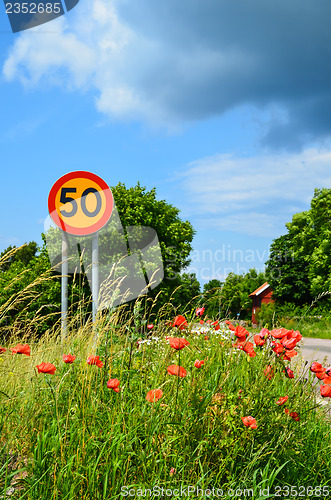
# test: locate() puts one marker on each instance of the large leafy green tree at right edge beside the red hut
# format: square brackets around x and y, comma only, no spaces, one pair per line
[307,273]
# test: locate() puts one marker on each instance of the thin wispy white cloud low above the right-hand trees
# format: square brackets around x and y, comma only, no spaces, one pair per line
[253,195]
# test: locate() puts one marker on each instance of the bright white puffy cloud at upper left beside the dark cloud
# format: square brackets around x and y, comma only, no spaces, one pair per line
[96,53]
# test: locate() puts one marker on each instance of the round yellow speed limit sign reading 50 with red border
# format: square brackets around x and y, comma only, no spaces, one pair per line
[80,203]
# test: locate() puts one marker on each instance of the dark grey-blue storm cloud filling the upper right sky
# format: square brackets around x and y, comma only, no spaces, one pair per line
[219,54]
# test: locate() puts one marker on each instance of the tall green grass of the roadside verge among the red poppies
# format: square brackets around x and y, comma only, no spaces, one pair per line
[77,439]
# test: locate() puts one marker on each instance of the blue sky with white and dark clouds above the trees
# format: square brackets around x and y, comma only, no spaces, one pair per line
[224,107]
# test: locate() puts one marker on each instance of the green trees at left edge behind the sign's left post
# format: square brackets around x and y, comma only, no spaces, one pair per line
[30,292]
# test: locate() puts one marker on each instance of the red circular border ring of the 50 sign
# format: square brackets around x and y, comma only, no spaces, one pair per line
[74,230]
